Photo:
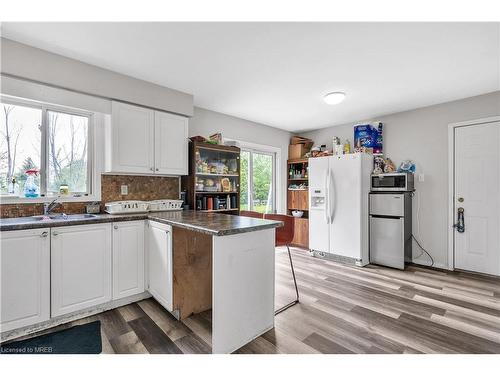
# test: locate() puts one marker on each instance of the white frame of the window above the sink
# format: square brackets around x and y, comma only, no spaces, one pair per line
[93,180]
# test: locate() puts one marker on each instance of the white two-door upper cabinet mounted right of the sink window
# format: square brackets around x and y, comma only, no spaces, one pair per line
[144,141]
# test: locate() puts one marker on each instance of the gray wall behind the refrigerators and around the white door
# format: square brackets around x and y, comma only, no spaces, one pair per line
[422,136]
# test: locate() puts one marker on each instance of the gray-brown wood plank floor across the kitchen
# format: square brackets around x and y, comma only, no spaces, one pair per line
[343,309]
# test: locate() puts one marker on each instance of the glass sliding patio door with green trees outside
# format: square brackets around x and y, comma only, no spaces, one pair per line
[258,181]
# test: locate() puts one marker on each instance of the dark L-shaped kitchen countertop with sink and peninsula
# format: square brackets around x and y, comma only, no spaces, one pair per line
[212,223]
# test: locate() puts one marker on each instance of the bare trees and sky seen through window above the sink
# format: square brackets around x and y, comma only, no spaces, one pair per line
[22,130]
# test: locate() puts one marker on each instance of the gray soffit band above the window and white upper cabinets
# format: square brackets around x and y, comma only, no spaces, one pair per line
[20,60]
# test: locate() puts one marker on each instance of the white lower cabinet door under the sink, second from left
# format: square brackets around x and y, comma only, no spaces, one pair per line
[81,267]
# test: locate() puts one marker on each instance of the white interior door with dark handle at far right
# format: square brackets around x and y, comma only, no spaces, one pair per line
[477,190]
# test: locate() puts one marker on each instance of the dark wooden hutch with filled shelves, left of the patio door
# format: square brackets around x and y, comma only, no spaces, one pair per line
[213,183]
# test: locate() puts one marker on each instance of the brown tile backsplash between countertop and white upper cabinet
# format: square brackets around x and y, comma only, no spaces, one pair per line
[139,188]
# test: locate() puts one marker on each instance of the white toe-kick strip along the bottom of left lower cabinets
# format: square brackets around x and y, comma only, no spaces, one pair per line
[19,332]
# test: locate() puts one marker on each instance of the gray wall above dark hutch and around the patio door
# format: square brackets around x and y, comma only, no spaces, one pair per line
[205,122]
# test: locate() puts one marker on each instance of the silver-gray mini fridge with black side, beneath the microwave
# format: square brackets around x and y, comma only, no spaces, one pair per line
[390,229]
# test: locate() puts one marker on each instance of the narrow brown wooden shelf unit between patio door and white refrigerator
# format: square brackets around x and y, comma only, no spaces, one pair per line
[298,199]
